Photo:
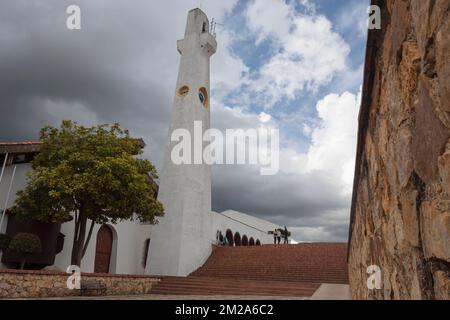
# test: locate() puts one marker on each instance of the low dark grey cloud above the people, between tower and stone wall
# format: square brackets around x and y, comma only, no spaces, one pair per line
[304,201]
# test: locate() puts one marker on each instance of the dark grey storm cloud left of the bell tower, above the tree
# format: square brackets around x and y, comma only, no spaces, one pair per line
[116,68]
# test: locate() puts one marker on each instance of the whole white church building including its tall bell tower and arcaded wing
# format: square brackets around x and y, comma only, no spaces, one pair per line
[183,239]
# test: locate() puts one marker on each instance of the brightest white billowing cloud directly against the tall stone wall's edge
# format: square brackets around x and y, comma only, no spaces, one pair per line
[333,142]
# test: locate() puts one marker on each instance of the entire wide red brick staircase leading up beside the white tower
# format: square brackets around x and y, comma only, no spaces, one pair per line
[269,270]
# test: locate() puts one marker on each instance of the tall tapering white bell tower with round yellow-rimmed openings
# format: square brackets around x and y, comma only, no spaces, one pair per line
[181,242]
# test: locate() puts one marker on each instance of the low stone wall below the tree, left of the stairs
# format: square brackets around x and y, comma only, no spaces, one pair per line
[42,284]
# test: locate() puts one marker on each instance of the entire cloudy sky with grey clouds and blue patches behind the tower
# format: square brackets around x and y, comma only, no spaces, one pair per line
[294,65]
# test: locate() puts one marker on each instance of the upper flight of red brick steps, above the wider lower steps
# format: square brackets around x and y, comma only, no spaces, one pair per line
[307,262]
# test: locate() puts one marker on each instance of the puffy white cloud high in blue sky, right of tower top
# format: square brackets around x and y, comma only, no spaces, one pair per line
[310,53]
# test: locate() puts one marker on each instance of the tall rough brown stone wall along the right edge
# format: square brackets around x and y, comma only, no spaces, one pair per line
[401,202]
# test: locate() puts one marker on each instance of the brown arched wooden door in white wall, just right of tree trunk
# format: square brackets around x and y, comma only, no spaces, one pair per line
[103,249]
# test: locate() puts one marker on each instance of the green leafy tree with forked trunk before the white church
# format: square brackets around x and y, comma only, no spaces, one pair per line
[84,174]
